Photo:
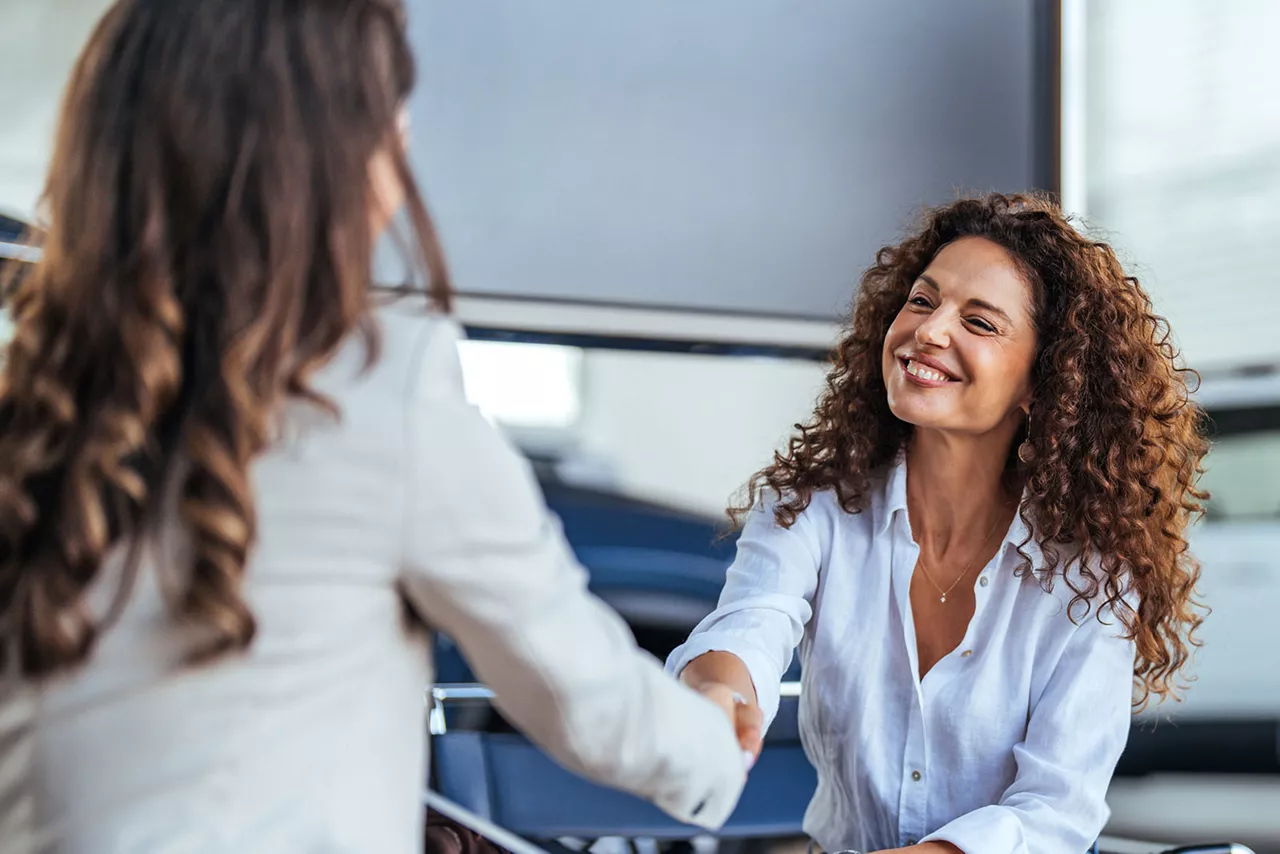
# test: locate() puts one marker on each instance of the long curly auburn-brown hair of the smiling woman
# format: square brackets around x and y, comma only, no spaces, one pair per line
[1118,444]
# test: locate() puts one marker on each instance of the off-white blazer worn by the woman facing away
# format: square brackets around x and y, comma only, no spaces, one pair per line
[314,741]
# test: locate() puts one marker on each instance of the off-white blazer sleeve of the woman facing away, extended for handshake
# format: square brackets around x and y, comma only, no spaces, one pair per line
[488,564]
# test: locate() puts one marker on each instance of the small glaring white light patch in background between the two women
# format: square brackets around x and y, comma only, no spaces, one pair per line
[527,386]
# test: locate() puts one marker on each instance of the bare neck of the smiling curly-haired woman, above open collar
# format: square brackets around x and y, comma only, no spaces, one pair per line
[957,491]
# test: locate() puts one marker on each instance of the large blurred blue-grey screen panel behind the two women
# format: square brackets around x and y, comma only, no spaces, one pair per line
[737,157]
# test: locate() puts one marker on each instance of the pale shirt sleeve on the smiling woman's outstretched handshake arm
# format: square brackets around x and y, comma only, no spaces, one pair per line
[765,606]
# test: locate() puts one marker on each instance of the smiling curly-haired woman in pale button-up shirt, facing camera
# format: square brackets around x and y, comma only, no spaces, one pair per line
[977,542]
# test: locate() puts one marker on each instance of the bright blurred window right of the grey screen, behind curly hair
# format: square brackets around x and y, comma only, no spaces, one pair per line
[1181,162]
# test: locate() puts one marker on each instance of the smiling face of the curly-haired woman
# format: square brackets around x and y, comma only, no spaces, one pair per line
[959,355]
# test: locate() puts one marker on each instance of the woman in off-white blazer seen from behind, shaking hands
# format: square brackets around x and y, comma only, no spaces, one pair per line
[235,491]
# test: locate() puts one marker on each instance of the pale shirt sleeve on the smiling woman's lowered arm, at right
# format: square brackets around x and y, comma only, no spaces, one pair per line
[1075,739]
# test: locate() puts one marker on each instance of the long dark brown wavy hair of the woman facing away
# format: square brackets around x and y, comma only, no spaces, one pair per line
[209,248]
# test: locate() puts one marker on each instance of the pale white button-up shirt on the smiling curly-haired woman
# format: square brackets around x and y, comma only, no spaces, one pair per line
[1008,745]
